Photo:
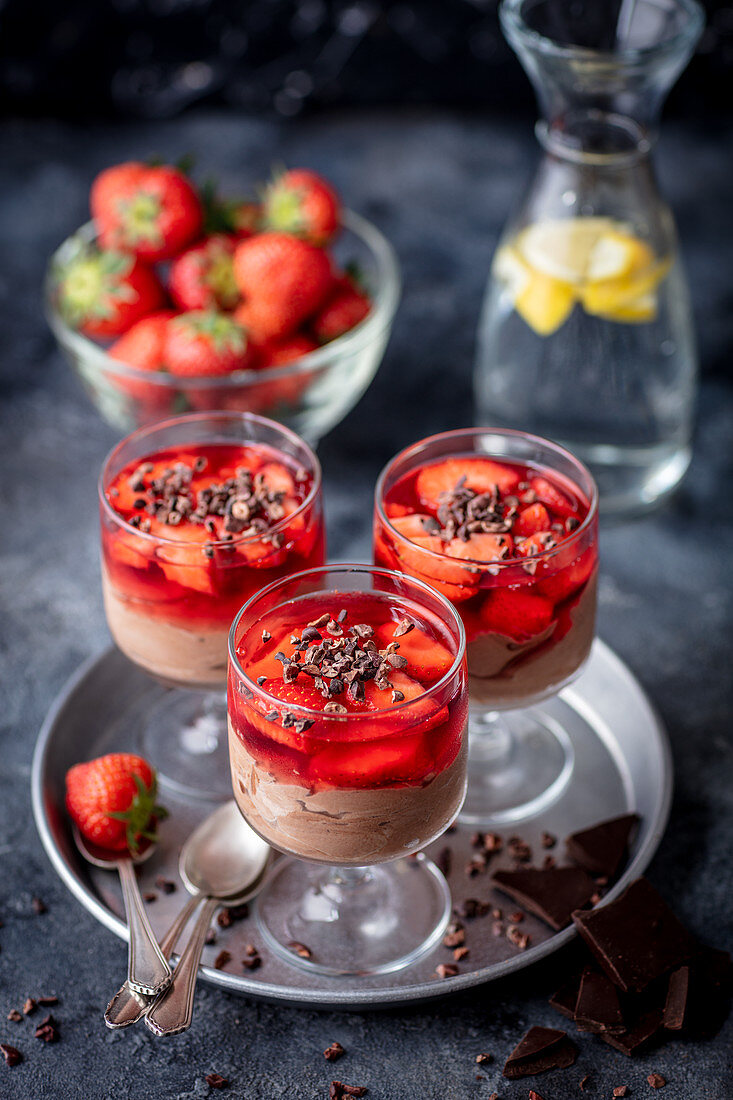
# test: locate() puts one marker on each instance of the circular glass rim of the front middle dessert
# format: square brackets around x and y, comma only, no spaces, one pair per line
[351,568]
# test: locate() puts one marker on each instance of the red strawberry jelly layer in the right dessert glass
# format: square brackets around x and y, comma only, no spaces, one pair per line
[494,576]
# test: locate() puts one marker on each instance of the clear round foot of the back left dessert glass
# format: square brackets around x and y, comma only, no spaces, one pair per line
[184,736]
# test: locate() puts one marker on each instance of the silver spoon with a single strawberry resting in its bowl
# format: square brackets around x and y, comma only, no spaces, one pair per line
[148,970]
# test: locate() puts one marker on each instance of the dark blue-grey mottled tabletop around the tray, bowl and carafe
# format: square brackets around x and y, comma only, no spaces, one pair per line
[440,188]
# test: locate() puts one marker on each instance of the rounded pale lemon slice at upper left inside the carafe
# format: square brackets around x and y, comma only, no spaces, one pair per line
[562,248]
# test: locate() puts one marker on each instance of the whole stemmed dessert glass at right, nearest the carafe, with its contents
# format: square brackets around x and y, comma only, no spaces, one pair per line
[528,602]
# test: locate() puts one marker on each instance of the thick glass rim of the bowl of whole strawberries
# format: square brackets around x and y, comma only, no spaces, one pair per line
[385,303]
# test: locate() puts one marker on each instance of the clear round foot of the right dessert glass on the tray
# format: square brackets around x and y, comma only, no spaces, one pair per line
[520,763]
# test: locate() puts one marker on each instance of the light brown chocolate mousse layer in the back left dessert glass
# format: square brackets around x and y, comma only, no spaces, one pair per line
[179,657]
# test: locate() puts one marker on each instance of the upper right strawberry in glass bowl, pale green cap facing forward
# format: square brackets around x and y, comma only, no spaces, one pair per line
[300,202]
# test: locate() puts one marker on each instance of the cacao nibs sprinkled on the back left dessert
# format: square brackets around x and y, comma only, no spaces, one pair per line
[246,503]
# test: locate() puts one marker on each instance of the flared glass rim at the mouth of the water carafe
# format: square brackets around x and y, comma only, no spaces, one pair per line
[516,27]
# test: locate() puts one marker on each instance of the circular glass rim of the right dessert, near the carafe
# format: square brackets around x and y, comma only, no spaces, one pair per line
[511,434]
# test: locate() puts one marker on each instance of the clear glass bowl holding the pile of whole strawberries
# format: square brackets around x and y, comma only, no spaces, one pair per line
[310,395]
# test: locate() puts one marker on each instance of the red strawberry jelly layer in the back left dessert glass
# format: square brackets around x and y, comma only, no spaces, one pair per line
[199,575]
